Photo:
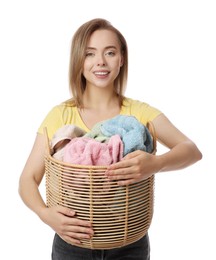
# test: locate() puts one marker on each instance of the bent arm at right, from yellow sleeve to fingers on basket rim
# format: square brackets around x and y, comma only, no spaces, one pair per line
[140,165]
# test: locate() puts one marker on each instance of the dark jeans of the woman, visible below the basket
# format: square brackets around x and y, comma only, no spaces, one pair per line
[139,250]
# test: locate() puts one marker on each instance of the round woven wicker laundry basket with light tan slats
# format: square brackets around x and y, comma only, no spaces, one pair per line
[120,215]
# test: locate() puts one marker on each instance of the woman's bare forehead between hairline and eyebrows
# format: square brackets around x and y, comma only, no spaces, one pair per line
[103,38]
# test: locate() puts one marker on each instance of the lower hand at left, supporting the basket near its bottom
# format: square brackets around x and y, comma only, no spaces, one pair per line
[64,222]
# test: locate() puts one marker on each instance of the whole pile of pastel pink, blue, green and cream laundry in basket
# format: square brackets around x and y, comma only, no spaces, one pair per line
[106,143]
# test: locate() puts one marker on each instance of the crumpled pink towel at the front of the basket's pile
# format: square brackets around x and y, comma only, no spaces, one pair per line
[88,151]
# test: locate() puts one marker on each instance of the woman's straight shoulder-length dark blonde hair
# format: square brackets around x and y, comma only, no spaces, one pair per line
[77,81]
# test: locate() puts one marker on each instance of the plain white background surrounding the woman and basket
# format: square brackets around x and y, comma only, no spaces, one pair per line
[172,66]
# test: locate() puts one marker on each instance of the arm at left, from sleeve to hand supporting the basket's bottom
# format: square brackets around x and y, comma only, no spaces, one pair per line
[62,220]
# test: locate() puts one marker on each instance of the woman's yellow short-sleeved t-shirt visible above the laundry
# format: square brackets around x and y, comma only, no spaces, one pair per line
[64,114]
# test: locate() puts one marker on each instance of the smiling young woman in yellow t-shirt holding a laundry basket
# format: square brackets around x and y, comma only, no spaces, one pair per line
[98,75]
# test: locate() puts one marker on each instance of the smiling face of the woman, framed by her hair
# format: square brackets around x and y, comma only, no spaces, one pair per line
[103,59]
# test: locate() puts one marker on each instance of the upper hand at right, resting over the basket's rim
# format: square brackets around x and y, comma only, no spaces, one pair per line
[134,167]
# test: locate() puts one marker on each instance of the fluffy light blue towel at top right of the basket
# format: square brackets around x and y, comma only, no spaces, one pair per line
[134,135]
